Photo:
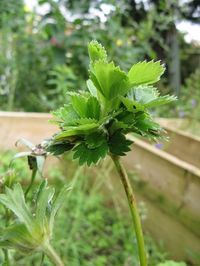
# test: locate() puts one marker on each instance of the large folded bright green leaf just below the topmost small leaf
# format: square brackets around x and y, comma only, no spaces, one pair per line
[109,80]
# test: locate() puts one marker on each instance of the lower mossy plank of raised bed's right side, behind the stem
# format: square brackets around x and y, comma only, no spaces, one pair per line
[175,238]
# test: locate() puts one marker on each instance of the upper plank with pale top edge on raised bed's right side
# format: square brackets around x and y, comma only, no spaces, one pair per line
[172,184]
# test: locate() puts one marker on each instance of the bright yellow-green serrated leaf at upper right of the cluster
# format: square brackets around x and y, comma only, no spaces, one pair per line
[145,73]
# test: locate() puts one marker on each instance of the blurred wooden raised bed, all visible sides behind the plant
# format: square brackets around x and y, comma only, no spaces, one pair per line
[169,180]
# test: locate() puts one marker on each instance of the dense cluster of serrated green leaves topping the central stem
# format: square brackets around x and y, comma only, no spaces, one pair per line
[94,123]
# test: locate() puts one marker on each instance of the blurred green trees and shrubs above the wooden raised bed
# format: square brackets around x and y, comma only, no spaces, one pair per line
[43,50]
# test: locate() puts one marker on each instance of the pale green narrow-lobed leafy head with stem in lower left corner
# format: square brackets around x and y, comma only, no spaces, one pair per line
[32,231]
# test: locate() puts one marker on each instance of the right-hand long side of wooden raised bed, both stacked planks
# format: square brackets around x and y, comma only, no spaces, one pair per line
[170,188]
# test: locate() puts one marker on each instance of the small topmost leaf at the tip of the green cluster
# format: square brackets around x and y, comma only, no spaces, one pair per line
[96,51]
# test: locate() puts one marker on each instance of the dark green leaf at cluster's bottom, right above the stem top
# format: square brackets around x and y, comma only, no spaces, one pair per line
[118,144]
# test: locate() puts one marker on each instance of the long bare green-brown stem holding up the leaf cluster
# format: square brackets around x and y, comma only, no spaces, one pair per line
[133,208]
